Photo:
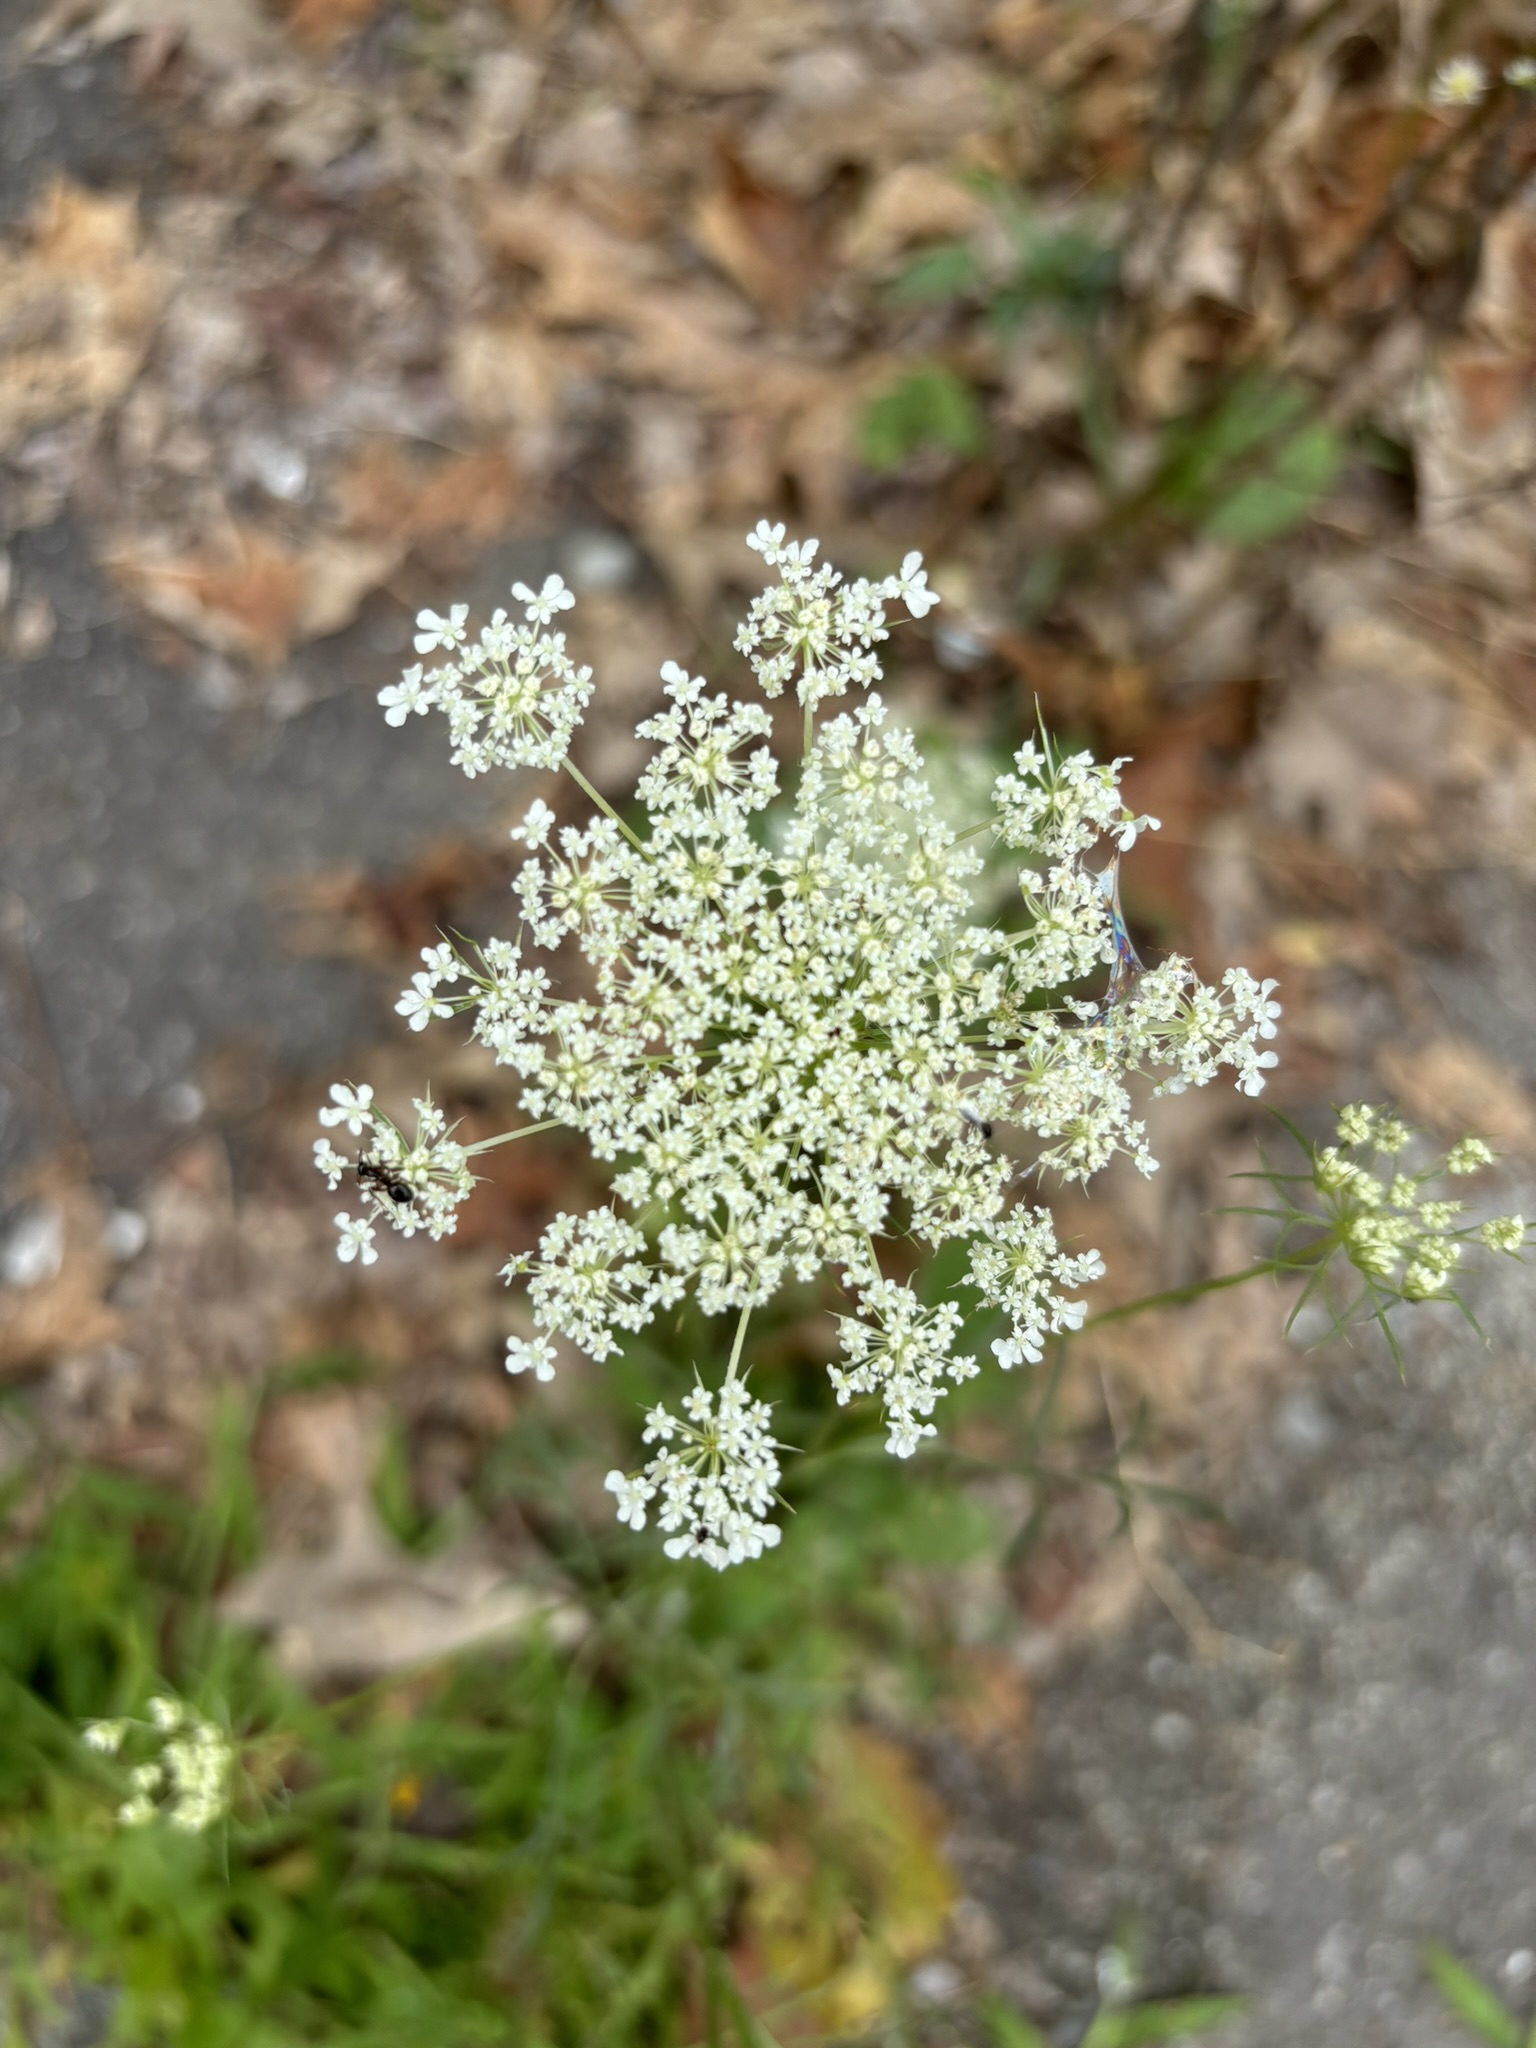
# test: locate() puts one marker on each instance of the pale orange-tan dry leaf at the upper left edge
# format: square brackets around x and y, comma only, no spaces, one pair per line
[79,306]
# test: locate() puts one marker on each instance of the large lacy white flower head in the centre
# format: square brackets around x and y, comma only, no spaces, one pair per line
[798,1029]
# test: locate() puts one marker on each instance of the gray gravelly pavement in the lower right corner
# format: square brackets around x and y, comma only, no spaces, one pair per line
[1295,1826]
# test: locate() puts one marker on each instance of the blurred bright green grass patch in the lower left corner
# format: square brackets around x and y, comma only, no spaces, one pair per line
[540,1836]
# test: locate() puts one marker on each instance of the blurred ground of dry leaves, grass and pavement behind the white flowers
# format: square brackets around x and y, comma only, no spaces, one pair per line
[1195,345]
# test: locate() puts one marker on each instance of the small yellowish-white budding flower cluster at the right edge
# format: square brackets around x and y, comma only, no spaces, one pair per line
[1400,1240]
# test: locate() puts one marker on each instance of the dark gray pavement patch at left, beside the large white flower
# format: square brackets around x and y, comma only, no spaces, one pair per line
[148,824]
